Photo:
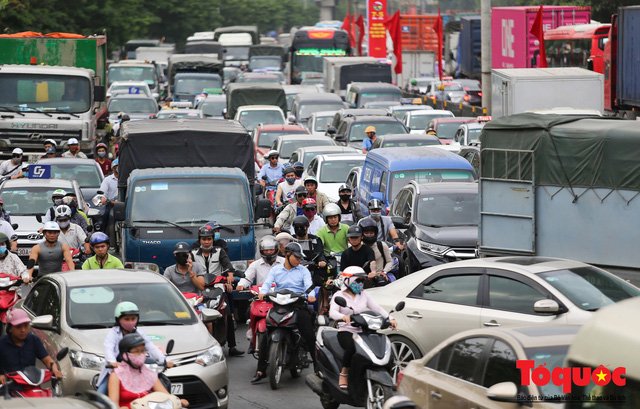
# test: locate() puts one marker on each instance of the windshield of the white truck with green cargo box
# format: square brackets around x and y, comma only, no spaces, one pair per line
[49,93]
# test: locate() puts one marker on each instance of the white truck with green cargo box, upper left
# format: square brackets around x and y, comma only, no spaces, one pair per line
[51,87]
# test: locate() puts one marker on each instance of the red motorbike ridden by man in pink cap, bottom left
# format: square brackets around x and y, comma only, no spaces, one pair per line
[28,382]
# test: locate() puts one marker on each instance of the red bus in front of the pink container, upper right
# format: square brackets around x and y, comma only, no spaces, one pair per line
[581,46]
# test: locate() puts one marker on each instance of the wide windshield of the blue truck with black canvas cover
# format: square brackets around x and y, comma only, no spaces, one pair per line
[169,199]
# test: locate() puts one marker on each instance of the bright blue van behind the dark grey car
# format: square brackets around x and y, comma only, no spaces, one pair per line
[387,170]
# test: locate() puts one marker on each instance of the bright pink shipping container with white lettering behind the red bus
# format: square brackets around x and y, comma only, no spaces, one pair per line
[512,46]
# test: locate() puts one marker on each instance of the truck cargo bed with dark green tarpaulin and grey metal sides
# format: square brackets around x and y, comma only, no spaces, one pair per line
[560,186]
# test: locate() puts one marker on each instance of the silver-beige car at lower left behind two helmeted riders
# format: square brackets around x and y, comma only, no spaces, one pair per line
[76,311]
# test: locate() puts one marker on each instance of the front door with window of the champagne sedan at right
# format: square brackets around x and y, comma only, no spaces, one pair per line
[508,299]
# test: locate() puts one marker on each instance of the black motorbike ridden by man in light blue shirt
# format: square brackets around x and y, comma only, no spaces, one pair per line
[286,350]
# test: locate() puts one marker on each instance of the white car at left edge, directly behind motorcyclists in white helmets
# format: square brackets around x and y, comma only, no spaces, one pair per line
[27,200]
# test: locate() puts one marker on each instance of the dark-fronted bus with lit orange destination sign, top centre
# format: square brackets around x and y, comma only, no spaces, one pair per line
[309,45]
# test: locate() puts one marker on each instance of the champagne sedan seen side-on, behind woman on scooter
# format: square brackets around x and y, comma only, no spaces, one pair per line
[494,292]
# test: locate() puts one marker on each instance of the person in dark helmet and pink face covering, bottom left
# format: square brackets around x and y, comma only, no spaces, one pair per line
[132,379]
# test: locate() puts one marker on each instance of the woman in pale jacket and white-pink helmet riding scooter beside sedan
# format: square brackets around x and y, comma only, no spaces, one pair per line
[359,301]
